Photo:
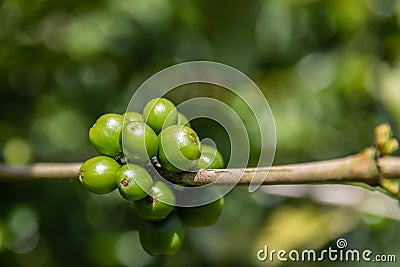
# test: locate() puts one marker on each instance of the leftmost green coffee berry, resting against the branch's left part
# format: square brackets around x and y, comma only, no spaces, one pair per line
[98,174]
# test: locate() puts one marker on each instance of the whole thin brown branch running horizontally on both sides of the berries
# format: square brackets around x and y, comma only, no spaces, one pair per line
[362,167]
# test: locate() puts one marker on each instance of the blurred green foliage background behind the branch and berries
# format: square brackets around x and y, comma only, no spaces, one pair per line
[329,69]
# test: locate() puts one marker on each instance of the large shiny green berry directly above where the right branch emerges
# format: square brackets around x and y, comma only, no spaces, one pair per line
[179,148]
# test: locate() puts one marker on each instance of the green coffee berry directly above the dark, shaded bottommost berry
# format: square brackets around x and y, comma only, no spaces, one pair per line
[154,207]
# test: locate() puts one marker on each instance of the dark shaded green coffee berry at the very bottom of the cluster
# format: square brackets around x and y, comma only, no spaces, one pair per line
[163,238]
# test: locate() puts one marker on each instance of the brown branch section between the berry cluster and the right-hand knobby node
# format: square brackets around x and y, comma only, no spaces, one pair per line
[361,167]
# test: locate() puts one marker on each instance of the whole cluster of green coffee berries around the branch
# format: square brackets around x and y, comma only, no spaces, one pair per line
[129,141]
